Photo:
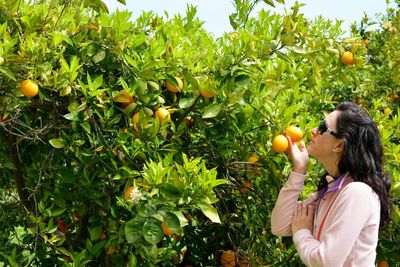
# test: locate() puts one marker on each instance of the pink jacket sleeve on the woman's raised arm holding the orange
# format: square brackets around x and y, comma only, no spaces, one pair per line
[281,217]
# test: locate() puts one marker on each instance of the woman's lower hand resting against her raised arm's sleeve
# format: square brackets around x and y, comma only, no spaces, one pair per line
[303,217]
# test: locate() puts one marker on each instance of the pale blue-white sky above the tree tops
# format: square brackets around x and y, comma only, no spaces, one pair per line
[215,13]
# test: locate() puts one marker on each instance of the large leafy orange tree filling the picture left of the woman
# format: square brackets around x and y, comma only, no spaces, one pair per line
[106,166]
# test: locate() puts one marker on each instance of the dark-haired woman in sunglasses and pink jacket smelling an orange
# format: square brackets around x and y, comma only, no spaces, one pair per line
[339,224]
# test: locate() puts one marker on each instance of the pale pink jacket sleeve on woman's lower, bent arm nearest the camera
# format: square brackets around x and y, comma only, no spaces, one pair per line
[348,217]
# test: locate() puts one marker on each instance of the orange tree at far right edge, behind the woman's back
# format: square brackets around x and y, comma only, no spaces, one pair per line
[381,96]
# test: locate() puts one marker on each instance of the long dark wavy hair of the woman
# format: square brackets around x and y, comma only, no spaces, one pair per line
[363,154]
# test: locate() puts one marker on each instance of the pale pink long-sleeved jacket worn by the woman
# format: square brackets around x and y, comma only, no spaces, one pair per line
[349,235]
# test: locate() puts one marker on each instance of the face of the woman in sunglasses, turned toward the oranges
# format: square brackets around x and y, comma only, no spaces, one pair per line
[325,145]
